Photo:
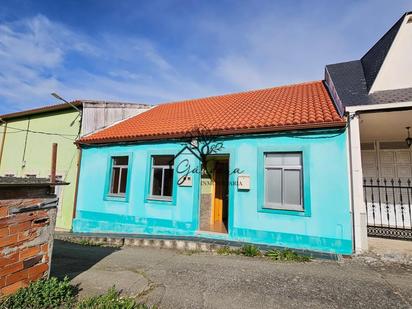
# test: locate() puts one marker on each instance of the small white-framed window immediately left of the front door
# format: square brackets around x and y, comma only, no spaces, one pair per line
[161,186]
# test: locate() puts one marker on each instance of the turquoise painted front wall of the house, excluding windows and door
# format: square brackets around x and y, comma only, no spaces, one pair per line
[325,225]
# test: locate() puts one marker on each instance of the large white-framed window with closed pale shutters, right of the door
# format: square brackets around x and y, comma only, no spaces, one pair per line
[283,181]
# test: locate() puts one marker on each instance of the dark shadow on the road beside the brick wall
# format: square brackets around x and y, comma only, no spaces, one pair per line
[70,259]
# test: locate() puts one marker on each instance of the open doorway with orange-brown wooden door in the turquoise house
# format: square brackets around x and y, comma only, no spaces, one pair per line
[221,191]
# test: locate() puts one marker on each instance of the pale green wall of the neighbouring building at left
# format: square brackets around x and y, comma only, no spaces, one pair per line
[29,152]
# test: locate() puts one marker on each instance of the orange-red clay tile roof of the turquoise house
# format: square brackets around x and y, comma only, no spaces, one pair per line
[299,106]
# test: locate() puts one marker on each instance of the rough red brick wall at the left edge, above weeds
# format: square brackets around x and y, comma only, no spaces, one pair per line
[25,244]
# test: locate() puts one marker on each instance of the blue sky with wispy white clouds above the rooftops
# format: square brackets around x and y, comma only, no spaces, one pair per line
[159,51]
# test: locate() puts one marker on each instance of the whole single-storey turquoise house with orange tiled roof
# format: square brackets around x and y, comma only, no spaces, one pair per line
[266,166]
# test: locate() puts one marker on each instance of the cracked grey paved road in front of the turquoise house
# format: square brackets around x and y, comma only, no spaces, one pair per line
[201,280]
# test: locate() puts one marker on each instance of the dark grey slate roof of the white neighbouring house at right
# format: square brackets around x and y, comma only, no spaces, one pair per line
[349,82]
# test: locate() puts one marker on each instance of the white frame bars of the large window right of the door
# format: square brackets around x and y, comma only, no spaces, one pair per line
[283,205]
